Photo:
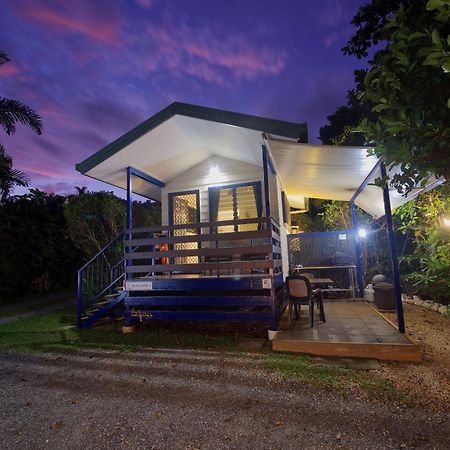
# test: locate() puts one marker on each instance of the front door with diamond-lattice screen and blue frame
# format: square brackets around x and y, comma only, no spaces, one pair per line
[184,208]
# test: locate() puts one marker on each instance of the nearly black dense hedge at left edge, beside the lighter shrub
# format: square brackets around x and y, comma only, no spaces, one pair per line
[37,251]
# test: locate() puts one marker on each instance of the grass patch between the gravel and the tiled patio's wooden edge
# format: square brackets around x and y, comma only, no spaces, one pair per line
[302,368]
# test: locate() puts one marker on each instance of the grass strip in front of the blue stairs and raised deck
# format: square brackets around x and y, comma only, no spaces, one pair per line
[52,332]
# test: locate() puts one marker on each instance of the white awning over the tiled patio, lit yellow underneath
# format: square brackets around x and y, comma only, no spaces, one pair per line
[334,173]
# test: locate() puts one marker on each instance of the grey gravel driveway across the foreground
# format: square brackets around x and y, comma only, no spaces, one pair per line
[180,399]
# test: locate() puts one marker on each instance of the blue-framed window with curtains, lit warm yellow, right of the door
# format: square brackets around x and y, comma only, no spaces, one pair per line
[234,202]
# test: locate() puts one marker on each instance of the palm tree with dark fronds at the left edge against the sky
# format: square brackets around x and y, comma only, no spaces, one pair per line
[11,113]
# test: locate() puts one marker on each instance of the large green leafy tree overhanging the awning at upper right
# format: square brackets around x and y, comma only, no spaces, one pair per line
[407,88]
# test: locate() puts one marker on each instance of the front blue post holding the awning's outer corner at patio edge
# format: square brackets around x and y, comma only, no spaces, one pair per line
[393,252]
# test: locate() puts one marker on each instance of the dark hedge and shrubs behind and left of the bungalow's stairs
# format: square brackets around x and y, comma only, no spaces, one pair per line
[45,238]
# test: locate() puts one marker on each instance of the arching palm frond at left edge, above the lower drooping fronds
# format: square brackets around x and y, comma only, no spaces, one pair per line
[13,111]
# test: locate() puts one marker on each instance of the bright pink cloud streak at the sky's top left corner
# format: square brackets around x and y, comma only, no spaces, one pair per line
[64,17]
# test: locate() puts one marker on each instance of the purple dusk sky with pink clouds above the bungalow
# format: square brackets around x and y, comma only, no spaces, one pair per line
[93,69]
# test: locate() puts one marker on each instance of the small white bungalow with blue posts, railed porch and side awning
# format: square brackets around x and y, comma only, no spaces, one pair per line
[226,182]
